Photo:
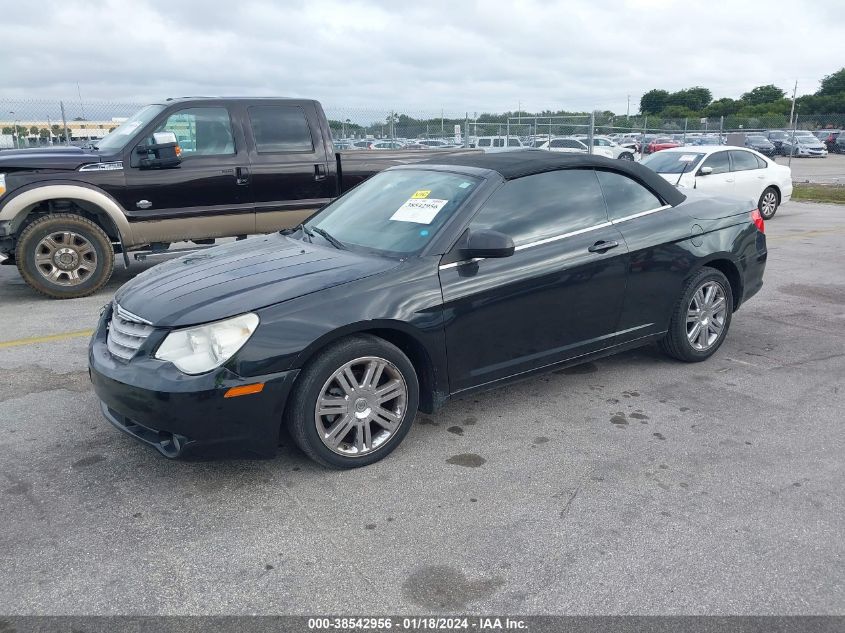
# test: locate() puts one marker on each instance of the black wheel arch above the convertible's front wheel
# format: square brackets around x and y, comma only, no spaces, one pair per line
[408,339]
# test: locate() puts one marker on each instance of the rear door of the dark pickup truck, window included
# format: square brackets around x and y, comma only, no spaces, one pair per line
[290,174]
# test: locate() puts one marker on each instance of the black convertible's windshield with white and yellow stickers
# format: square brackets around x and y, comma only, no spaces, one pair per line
[395,212]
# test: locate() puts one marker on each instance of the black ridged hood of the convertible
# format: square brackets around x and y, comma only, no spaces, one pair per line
[240,277]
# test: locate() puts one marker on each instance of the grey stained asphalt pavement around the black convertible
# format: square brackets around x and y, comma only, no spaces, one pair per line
[631,485]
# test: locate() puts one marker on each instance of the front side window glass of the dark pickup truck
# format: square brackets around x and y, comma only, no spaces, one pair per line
[201,131]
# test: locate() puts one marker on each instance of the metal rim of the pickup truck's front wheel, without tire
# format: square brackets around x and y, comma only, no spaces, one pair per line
[65,258]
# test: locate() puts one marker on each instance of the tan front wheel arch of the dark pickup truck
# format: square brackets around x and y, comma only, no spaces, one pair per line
[97,205]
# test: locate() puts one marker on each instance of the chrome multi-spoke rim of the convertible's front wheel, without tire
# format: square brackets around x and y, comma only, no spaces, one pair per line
[361,406]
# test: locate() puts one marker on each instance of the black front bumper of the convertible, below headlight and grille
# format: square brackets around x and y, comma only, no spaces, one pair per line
[186,416]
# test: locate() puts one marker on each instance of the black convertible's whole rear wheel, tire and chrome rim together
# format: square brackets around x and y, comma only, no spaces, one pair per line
[677,343]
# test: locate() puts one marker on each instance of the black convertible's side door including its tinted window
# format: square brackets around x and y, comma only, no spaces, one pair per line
[557,297]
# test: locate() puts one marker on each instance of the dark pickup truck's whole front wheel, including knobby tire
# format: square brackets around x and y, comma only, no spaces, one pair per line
[64,256]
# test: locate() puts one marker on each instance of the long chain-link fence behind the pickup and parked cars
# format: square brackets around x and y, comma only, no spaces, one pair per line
[36,123]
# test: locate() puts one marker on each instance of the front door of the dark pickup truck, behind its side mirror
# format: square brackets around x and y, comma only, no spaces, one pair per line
[205,184]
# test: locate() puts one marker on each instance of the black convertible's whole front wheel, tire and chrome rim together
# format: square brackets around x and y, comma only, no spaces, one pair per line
[340,440]
